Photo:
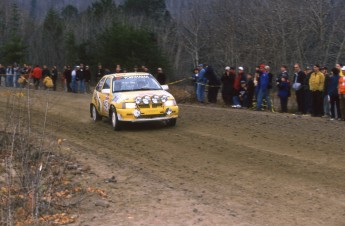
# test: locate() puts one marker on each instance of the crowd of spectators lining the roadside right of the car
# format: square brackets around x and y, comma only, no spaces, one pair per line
[318,91]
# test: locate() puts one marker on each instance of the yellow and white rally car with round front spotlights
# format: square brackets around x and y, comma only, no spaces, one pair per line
[132,97]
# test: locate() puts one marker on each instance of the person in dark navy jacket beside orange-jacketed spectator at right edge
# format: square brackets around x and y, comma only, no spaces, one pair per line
[333,93]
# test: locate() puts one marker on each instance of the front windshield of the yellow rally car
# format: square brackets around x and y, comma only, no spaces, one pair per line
[135,83]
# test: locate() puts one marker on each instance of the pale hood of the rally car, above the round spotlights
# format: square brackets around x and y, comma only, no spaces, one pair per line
[130,96]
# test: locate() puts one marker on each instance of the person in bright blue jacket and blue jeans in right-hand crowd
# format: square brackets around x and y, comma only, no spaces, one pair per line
[263,89]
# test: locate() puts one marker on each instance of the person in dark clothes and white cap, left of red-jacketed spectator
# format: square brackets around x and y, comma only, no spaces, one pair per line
[228,80]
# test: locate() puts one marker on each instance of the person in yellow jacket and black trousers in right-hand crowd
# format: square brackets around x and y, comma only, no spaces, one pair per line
[316,84]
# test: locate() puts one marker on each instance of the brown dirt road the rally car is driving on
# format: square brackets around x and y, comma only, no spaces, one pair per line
[217,167]
